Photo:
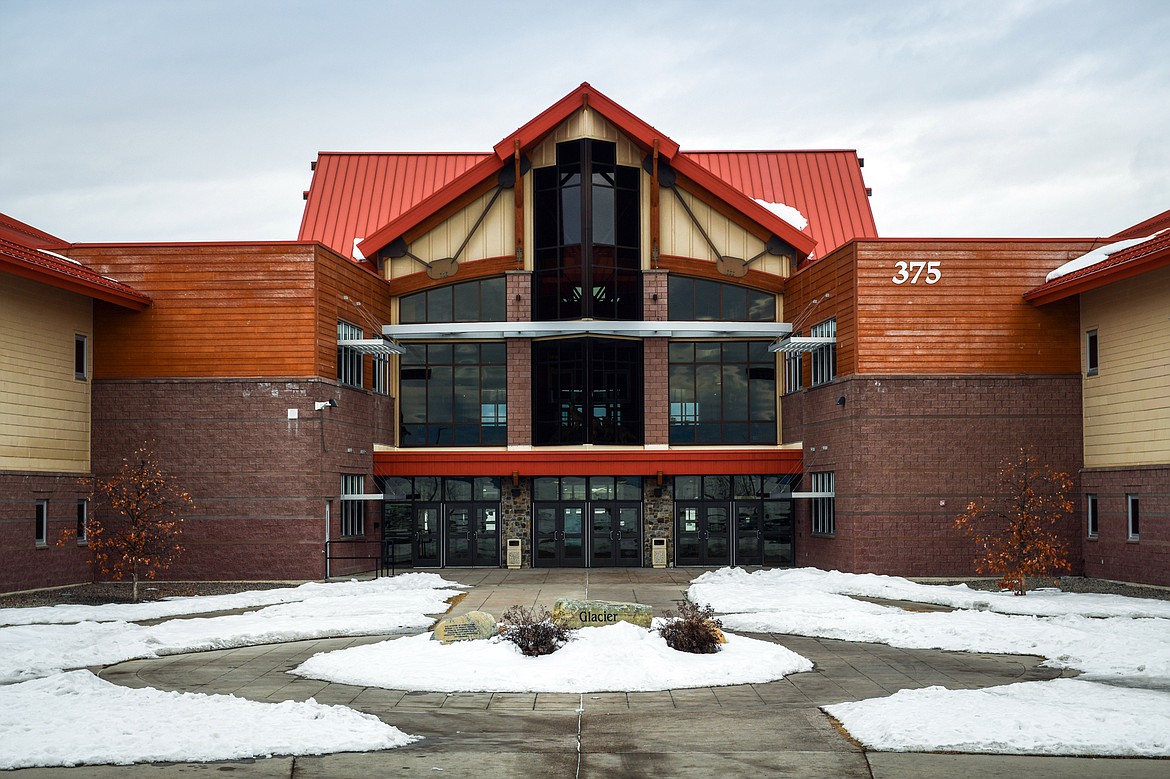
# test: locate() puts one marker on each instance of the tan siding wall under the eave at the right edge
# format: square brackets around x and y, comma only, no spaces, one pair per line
[1127,404]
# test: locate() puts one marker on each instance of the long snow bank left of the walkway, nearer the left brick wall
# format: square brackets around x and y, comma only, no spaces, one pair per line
[381,606]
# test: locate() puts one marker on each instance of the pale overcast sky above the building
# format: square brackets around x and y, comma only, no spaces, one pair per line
[167,121]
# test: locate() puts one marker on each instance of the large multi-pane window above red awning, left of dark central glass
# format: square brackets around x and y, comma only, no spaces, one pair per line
[455,395]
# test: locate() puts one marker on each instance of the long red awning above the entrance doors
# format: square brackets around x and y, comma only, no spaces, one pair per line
[588,463]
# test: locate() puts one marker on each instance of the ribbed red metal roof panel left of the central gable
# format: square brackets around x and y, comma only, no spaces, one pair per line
[355,195]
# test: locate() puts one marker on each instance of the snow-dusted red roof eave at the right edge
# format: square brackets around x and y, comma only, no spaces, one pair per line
[1128,254]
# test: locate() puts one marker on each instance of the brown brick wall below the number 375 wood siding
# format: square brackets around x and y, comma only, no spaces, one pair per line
[909,456]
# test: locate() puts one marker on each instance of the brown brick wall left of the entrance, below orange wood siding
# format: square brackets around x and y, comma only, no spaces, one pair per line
[260,479]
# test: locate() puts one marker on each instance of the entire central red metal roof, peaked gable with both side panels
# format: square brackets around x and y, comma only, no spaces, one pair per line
[377,198]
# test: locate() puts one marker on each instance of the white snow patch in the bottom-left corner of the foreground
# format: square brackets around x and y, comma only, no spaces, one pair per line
[77,719]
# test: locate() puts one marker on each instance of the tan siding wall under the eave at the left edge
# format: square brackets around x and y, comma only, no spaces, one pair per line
[45,418]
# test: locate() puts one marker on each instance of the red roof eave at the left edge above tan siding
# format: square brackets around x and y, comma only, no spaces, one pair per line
[25,252]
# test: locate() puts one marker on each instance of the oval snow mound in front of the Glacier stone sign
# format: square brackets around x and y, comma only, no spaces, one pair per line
[621,657]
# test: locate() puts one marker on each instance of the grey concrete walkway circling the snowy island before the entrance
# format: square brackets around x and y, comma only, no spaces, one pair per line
[759,730]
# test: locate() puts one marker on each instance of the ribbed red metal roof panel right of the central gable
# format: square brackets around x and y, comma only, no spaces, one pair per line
[825,187]
